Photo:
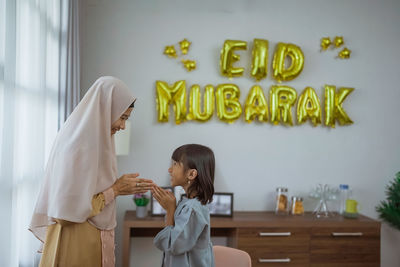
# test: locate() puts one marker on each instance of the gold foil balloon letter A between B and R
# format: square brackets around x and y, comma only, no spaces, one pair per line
[256,105]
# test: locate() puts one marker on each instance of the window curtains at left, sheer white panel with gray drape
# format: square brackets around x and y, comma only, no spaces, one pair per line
[38,79]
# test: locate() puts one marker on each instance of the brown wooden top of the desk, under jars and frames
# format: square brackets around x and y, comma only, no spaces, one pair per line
[257,219]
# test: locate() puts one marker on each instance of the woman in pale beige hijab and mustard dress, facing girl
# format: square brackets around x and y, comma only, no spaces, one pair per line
[75,212]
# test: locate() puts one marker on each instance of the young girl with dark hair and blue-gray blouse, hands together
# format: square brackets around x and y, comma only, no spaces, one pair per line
[185,240]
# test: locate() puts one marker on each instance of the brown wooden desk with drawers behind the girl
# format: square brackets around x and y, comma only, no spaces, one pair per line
[292,240]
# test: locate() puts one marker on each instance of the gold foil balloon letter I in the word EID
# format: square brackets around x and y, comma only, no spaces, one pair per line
[260,59]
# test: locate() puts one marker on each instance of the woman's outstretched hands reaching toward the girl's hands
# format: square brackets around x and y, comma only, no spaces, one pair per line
[129,184]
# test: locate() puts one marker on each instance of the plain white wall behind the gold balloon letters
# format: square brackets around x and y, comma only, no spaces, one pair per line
[127,38]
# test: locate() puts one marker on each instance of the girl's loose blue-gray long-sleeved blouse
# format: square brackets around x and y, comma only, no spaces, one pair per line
[187,243]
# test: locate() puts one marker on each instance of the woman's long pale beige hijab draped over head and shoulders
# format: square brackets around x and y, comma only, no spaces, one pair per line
[82,161]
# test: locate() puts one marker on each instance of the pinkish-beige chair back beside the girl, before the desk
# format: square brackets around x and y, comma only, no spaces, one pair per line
[231,257]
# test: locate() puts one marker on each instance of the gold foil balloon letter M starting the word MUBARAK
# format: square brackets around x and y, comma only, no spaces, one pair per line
[166,95]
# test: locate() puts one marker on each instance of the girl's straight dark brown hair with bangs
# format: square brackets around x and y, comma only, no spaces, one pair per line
[201,158]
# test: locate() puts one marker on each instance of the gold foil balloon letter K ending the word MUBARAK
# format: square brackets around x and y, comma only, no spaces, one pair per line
[333,105]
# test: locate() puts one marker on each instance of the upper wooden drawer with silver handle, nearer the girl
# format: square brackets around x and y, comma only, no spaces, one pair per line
[274,240]
